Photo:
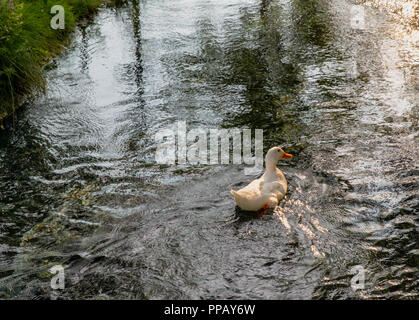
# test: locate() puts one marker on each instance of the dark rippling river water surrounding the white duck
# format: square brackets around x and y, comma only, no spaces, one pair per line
[79,185]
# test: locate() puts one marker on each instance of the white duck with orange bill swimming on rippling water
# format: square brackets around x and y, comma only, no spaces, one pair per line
[266,191]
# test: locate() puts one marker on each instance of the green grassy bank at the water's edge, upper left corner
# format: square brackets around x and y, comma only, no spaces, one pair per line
[27,43]
